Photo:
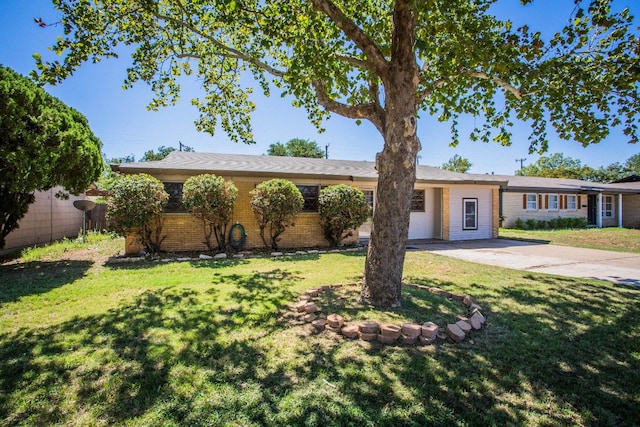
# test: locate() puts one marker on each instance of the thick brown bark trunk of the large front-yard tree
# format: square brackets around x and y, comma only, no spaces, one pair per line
[396,166]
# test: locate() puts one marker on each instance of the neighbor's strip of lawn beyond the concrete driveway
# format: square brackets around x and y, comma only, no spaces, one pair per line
[611,239]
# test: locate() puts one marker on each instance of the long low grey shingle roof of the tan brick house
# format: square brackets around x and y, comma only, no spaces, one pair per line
[288,167]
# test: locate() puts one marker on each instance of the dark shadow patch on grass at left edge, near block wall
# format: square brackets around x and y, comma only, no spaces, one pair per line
[38,277]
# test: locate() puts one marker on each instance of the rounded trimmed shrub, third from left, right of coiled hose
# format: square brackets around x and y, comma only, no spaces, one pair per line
[275,203]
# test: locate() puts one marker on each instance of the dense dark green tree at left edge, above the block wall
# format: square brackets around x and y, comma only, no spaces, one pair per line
[43,144]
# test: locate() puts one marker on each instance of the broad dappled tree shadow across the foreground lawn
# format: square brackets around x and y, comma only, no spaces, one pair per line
[553,353]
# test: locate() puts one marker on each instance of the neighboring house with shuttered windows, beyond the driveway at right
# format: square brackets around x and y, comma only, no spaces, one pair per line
[602,205]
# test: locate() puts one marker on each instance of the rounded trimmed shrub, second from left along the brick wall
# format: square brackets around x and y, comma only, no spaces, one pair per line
[211,199]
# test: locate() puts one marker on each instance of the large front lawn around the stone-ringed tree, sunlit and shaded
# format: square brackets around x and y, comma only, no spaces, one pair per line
[210,343]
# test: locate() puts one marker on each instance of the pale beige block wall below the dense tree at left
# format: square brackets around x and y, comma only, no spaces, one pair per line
[48,219]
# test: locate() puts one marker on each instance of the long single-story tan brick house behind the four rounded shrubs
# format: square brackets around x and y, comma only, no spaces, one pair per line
[446,205]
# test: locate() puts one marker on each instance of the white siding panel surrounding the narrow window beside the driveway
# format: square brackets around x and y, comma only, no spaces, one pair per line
[485,218]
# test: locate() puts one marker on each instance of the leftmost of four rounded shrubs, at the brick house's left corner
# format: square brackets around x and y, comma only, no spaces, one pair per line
[136,204]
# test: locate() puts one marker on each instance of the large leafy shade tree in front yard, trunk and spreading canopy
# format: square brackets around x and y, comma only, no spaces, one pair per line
[383,62]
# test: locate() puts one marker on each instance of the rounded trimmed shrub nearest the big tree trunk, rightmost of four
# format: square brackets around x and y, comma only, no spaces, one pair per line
[342,209]
